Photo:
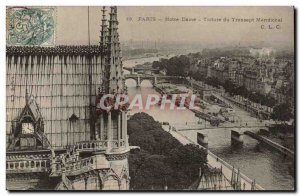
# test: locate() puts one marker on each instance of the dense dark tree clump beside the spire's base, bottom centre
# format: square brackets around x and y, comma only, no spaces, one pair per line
[162,162]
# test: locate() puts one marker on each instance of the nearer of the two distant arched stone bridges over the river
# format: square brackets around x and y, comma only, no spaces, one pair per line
[154,79]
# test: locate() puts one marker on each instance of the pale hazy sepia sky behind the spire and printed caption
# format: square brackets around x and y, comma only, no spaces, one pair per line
[72,25]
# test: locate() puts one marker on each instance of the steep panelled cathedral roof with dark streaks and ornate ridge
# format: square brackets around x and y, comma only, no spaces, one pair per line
[62,85]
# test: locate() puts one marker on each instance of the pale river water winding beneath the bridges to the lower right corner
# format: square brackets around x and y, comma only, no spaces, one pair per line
[268,168]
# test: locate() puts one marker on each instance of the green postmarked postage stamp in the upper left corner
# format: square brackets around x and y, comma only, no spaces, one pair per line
[31,26]
